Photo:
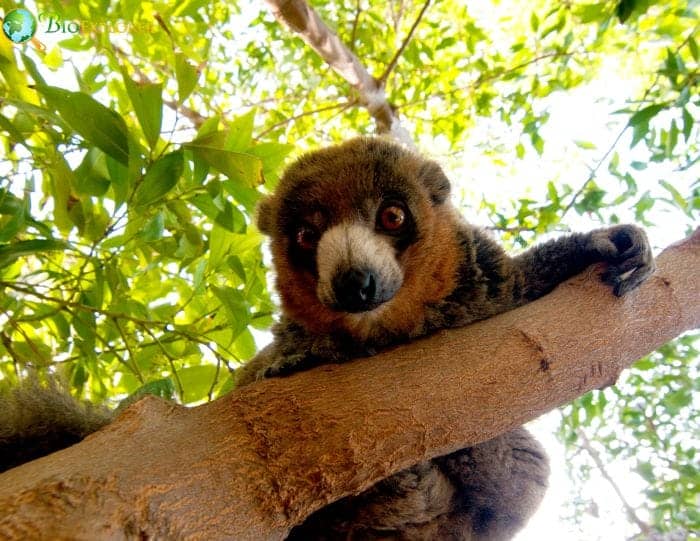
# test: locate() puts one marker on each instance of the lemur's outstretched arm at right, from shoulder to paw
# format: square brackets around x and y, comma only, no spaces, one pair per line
[491,282]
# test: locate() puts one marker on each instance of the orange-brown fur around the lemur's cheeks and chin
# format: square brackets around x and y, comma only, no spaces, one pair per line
[429,267]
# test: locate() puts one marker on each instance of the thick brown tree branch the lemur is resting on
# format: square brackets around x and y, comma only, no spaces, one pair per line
[261,459]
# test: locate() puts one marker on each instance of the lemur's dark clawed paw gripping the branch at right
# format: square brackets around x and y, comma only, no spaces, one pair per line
[627,251]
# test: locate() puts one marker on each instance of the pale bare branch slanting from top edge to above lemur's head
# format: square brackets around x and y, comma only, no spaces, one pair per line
[299,17]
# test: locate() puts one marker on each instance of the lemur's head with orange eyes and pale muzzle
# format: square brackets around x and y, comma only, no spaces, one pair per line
[363,238]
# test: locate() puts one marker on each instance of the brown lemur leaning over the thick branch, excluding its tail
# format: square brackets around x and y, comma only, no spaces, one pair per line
[369,253]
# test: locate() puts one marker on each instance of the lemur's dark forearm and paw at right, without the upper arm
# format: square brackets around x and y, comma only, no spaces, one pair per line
[624,247]
